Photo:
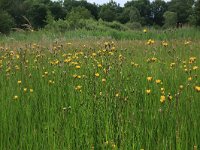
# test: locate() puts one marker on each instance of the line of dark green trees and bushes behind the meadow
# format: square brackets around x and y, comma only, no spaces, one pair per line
[36,14]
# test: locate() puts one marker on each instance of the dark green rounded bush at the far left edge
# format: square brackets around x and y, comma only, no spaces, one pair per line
[6,22]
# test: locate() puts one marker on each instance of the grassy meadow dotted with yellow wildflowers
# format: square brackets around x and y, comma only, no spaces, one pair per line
[89,90]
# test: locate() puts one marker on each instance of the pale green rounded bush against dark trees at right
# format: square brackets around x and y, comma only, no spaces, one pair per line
[170,19]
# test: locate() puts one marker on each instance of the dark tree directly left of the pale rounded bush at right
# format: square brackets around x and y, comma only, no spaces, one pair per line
[158,8]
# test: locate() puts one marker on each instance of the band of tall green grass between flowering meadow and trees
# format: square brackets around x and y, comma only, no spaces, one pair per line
[168,34]
